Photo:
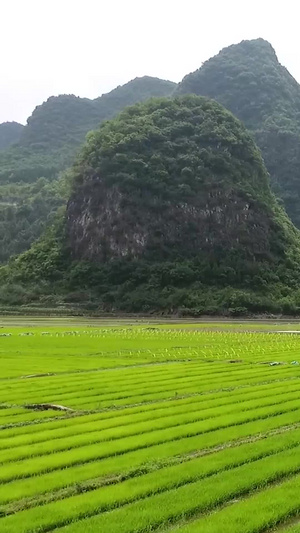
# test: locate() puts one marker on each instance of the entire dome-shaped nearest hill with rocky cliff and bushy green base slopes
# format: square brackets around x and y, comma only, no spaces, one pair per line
[170,209]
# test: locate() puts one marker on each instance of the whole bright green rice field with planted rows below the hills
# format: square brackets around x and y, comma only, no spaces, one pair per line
[115,426]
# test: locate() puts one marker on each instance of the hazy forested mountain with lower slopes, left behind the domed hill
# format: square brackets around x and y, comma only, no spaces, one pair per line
[30,185]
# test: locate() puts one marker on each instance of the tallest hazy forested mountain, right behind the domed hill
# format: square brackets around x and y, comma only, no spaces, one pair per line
[249,81]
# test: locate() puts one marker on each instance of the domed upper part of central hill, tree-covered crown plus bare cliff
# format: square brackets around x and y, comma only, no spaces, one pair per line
[217,206]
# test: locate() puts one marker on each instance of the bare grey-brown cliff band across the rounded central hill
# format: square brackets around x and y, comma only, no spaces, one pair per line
[104,224]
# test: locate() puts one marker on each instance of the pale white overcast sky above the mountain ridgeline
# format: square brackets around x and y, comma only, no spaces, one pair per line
[88,47]
